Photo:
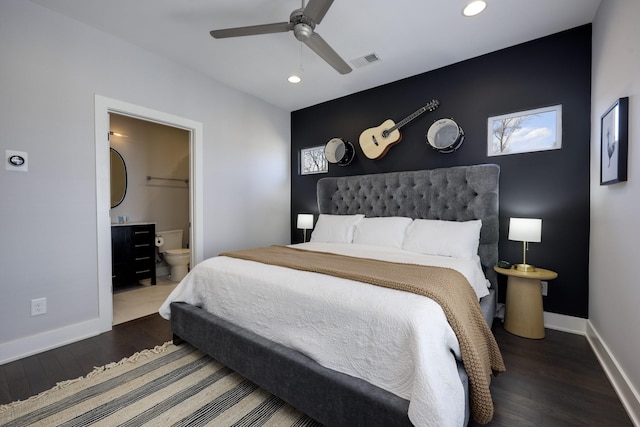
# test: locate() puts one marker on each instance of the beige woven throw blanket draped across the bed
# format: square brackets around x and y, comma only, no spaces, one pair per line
[480,354]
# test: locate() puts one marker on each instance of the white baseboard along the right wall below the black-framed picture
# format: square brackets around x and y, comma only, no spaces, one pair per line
[627,393]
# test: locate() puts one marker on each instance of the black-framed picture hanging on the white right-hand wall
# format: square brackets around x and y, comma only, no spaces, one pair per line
[614,142]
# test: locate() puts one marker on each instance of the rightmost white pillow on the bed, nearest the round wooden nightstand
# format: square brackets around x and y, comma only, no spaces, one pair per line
[446,238]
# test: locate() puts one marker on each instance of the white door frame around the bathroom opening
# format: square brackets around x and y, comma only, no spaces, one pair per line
[104,106]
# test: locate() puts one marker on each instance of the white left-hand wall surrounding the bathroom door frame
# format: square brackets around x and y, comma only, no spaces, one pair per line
[52,67]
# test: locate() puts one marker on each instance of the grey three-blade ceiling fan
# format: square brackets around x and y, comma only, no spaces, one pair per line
[302,21]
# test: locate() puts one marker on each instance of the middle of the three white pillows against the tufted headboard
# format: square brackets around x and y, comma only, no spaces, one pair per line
[382,231]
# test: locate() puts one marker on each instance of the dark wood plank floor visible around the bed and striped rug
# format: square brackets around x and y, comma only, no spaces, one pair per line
[552,382]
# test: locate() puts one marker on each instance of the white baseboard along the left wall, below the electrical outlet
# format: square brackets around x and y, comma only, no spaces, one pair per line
[34,344]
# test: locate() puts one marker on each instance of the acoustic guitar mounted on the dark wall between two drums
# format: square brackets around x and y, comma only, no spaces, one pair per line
[375,142]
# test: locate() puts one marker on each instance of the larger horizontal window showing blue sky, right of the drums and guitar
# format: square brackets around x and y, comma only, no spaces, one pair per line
[525,131]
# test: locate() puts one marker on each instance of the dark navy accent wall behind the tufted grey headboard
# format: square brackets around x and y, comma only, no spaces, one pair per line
[552,185]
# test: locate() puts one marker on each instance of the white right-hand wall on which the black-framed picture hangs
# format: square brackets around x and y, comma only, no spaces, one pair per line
[614,292]
